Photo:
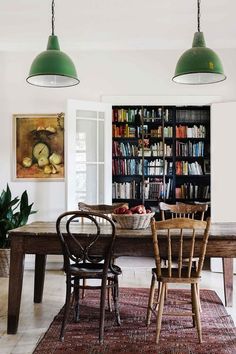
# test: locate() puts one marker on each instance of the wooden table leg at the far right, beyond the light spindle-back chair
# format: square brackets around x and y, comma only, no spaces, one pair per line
[228,280]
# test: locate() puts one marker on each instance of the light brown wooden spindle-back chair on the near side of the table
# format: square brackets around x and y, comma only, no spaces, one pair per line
[175,231]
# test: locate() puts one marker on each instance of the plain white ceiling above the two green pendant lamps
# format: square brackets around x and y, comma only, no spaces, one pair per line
[116,24]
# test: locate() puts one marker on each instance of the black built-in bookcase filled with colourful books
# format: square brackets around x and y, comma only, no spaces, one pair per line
[161,153]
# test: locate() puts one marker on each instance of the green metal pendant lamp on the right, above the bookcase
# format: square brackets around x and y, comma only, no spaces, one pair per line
[199,65]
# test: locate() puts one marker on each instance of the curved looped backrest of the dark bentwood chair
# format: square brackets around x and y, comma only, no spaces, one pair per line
[80,241]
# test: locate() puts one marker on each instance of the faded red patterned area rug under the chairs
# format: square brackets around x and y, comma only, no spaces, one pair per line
[177,335]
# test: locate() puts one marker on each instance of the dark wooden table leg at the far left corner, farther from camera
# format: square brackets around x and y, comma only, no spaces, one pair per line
[39,275]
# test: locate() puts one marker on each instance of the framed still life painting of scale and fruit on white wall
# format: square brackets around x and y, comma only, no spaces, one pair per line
[39,146]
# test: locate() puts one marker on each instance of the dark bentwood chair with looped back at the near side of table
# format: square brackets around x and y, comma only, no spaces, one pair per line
[81,262]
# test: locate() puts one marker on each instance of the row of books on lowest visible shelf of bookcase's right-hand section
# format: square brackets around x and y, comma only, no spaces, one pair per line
[192,191]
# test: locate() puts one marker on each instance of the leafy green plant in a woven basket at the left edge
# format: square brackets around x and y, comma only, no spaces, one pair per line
[14,212]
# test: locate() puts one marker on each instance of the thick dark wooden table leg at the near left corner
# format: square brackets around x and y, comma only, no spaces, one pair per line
[15,288]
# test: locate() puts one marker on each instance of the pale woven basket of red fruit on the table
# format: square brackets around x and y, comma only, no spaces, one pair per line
[137,217]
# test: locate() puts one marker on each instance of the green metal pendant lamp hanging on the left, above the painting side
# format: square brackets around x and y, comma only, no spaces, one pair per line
[53,68]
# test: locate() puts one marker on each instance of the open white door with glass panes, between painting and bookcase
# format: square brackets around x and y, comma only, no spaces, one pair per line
[89,153]
